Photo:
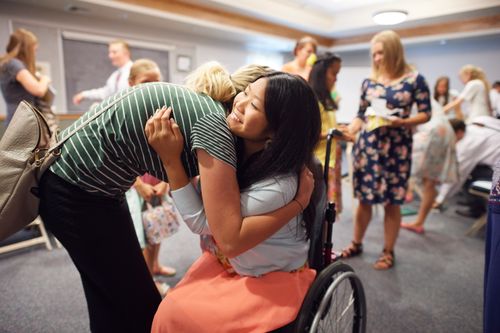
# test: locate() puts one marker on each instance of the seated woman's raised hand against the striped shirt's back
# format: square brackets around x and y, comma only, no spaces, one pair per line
[164,135]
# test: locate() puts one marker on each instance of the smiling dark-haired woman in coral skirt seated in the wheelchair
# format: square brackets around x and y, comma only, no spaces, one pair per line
[260,287]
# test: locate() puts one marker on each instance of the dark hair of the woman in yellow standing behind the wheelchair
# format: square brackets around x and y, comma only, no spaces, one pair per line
[317,79]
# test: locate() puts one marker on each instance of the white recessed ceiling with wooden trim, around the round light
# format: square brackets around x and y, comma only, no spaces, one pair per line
[327,19]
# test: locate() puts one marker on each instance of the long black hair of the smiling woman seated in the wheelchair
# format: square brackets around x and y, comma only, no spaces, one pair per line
[292,114]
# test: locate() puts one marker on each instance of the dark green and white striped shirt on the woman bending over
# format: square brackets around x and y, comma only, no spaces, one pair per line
[108,154]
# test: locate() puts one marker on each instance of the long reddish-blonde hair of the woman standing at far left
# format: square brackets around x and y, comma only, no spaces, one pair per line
[21,46]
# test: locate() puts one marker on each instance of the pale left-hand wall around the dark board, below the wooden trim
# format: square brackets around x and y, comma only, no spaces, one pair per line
[50,24]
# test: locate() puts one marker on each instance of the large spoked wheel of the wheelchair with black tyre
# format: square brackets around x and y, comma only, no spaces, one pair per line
[335,303]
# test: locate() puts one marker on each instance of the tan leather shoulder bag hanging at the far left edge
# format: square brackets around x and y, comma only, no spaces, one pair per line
[24,156]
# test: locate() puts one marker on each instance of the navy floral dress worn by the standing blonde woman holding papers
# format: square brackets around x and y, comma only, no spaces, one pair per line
[382,157]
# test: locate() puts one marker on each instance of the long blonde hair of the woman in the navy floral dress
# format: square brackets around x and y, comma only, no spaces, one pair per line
[394,57]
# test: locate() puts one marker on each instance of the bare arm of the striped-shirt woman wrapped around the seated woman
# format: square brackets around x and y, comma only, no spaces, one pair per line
[221,199]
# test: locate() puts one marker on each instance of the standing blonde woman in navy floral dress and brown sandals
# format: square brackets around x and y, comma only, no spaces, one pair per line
[382,154]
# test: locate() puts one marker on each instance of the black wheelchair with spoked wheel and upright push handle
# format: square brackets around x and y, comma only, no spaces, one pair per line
[336,300]
